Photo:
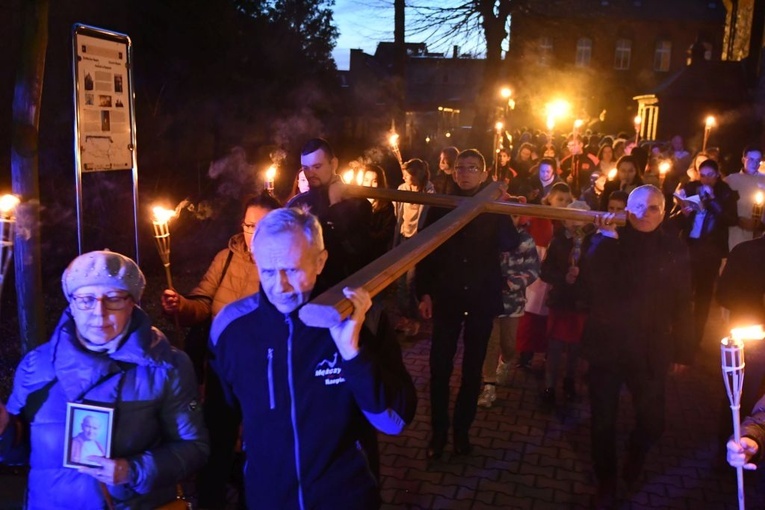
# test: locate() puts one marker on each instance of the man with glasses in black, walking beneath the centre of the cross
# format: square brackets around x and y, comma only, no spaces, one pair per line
[460,284]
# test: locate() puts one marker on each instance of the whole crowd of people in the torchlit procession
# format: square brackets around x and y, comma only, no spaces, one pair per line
[306,403]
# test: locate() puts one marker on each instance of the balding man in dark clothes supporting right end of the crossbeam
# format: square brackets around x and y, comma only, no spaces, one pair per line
[637,280]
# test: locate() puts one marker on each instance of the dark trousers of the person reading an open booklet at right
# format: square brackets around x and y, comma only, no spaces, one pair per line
[705,268]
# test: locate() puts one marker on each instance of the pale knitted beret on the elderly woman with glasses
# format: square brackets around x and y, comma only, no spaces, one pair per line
[104,268]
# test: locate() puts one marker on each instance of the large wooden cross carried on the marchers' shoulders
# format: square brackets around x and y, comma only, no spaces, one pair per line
[331,307]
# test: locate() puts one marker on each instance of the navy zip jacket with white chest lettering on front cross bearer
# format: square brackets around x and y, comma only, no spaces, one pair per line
[308,415]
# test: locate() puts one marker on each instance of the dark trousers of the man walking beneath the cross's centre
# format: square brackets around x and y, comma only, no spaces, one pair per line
[446,330]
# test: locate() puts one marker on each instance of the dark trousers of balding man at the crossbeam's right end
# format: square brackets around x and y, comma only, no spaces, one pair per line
[647,389]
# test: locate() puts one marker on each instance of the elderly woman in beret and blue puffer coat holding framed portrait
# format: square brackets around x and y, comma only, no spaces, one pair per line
[105,353]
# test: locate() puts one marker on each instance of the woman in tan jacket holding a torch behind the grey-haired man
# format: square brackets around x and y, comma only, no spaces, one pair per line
[231,276]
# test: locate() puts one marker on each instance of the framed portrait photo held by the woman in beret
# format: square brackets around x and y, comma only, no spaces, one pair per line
[88,433]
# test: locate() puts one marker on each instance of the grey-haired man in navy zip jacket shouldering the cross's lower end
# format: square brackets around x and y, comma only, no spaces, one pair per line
[310,397]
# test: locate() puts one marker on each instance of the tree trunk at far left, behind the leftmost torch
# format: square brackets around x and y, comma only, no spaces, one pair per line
[24,169]
